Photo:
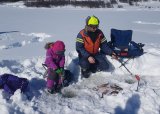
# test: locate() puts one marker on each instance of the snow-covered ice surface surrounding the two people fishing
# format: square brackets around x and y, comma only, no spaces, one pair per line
[23,34]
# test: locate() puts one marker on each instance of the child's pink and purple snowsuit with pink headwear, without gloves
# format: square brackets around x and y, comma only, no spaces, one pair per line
[54,61]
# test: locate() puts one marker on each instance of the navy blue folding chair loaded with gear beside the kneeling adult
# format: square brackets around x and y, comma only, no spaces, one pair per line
[121,43]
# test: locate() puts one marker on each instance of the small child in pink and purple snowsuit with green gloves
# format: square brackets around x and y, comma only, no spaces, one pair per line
[55,60]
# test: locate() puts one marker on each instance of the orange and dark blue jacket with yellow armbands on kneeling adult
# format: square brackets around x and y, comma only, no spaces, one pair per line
[91,43]
